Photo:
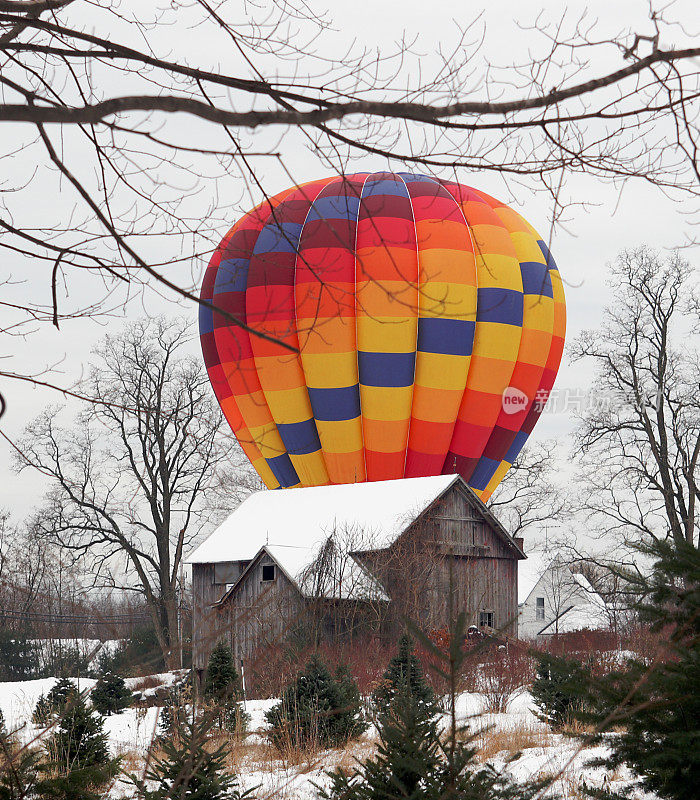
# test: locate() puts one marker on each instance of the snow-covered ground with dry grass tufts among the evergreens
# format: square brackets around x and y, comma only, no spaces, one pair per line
[500,736]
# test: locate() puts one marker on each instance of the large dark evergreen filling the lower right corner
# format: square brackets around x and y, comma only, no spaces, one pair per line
[649,713]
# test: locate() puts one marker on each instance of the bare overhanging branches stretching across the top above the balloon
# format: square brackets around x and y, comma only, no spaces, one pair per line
[152,124]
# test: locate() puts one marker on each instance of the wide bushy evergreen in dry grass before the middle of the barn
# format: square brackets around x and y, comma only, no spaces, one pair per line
[314,709]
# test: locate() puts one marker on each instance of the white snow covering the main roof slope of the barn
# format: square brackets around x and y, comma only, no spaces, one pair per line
[301,519]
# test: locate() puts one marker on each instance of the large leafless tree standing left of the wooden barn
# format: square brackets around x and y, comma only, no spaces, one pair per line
[129,479]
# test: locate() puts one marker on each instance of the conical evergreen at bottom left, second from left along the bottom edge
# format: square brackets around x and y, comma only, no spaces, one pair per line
[78,759]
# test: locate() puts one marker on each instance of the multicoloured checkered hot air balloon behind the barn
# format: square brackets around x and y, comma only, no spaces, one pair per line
[378,326]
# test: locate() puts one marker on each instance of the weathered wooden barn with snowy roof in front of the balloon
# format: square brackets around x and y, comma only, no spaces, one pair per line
[340,561]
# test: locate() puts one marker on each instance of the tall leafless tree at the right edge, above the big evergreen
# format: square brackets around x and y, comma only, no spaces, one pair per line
[641,440]
